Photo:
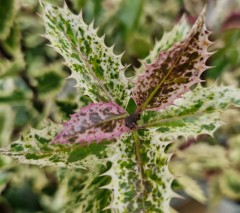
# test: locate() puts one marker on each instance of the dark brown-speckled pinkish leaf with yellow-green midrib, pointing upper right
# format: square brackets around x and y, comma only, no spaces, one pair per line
[174,71]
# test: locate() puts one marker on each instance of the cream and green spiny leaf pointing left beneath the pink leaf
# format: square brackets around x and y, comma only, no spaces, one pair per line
[35,148]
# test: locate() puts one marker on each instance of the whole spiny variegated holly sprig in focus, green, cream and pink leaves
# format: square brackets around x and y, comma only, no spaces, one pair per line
[118,142]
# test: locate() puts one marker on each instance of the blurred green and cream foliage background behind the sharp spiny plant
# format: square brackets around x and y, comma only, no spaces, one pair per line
[33,88]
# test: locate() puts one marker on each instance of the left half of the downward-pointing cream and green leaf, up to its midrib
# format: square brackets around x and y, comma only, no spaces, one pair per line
[126,181]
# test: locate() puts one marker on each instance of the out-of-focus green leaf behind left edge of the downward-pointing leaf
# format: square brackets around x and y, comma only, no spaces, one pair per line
[84,192]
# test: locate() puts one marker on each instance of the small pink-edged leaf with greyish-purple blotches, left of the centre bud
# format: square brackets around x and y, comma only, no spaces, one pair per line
[95,122]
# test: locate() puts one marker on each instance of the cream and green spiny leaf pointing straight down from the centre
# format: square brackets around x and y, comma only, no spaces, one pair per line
[140,180]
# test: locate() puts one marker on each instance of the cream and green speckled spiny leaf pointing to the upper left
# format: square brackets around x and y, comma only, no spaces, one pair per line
[94,65]
